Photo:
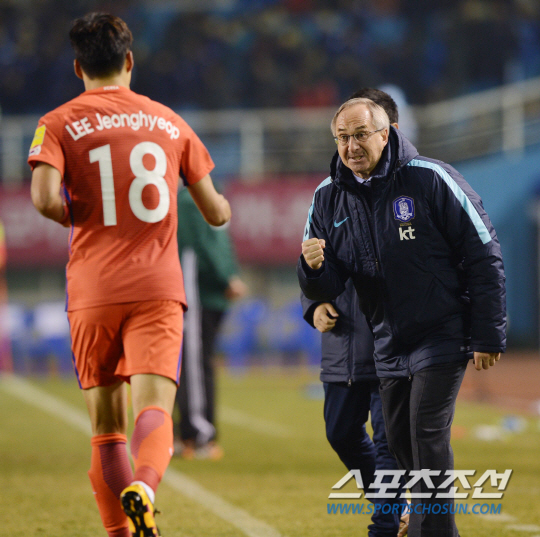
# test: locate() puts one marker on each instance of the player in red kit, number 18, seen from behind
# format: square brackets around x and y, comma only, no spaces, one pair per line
[107,165]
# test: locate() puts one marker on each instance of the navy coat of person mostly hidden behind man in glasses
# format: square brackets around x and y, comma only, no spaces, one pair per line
[347,349]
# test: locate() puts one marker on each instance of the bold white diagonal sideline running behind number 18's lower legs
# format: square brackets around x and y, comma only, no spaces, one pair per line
[250,526]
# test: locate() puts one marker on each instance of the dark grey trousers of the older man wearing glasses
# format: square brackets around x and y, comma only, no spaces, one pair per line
[418,415]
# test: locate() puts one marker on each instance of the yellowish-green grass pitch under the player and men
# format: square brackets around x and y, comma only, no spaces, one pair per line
[278,466]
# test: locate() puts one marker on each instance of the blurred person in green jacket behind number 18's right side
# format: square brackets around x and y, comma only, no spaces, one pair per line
[211,280]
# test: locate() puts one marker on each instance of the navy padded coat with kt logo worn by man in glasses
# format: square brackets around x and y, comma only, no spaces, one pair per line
[423,256]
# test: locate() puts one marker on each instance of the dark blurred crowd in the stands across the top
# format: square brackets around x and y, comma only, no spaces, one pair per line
[210,54]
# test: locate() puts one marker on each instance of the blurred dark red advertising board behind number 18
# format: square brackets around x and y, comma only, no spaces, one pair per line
[266,227]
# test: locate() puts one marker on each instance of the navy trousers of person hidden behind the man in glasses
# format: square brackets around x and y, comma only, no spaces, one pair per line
[346,411]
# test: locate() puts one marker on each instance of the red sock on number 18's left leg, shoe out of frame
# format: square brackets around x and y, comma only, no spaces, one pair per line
[110,473]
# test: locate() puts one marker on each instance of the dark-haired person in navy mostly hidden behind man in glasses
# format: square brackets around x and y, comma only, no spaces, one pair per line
[351,386]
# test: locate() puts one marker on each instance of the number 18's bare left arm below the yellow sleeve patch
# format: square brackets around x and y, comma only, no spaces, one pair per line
[46,194]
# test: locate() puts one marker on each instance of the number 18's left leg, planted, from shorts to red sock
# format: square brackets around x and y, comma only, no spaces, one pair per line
[97,347]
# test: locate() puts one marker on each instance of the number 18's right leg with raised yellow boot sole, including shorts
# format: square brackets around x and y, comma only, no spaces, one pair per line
[152,337]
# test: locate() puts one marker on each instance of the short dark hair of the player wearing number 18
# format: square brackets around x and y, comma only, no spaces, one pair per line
[101,42]
